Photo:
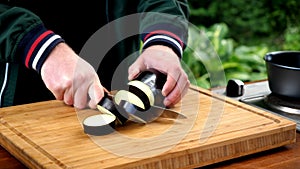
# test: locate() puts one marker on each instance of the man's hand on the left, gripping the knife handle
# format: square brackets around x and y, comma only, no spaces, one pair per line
[71,79]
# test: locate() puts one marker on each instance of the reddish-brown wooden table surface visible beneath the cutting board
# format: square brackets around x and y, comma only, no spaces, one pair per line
[286,157]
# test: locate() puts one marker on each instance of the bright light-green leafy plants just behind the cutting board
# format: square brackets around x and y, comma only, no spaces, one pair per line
[240,62]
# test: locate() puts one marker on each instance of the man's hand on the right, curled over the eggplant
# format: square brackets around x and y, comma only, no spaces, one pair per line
[165,60]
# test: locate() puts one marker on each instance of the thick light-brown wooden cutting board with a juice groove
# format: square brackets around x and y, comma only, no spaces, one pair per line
[50,135]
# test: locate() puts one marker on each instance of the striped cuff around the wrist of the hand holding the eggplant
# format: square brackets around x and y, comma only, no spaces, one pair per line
[165,38]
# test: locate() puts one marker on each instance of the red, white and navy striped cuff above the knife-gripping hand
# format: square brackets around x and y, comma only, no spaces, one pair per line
[37,45]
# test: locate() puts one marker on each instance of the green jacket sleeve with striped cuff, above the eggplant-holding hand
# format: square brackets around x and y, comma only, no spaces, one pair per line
[164,22]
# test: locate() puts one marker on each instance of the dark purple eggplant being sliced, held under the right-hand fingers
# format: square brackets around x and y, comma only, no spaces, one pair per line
[144,92]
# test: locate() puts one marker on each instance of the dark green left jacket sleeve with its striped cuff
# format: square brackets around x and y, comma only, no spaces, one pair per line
[23,37]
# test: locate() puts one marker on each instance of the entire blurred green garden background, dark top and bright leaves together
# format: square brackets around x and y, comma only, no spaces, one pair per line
[241,33]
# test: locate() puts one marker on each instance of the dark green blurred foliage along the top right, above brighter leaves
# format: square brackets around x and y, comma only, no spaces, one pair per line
[251,22]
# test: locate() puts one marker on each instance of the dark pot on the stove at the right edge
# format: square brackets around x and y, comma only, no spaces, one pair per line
[283,71]
